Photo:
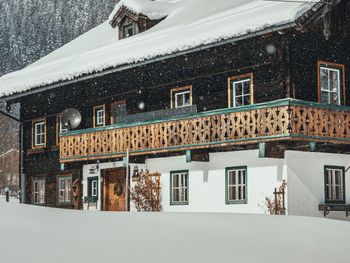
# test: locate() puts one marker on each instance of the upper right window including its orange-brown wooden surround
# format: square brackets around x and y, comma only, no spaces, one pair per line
[331,83]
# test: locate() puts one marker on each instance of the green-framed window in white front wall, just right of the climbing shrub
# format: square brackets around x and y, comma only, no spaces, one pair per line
[179,188]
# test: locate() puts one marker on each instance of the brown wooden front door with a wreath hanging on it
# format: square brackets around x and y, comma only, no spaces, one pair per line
[114,190]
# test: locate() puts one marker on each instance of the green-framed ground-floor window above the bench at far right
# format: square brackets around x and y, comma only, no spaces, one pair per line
[334,184]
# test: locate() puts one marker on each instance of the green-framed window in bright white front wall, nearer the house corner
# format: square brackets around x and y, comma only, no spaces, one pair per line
[236,185]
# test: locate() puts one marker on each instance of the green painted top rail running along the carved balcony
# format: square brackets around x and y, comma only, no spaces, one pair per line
[275,103]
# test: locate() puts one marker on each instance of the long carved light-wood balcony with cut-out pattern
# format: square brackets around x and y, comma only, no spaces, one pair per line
[285,119]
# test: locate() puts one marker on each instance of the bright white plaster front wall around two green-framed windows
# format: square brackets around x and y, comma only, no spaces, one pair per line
[207,181]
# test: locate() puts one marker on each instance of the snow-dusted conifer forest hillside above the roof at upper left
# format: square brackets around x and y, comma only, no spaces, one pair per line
[30,29]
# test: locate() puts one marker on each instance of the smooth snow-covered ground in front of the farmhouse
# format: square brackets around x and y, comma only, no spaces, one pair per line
[43,235]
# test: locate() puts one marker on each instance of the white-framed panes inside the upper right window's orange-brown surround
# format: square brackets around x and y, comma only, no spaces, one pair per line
[330,84]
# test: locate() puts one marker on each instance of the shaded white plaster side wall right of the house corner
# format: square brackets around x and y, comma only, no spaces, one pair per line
[306,182]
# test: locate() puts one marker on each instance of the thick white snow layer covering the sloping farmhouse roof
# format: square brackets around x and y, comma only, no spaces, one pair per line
[189,24]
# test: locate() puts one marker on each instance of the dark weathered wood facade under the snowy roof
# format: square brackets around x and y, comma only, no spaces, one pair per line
[289,70]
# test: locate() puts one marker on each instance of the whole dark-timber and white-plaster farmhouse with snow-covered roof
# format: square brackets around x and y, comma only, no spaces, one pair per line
[226,100]
